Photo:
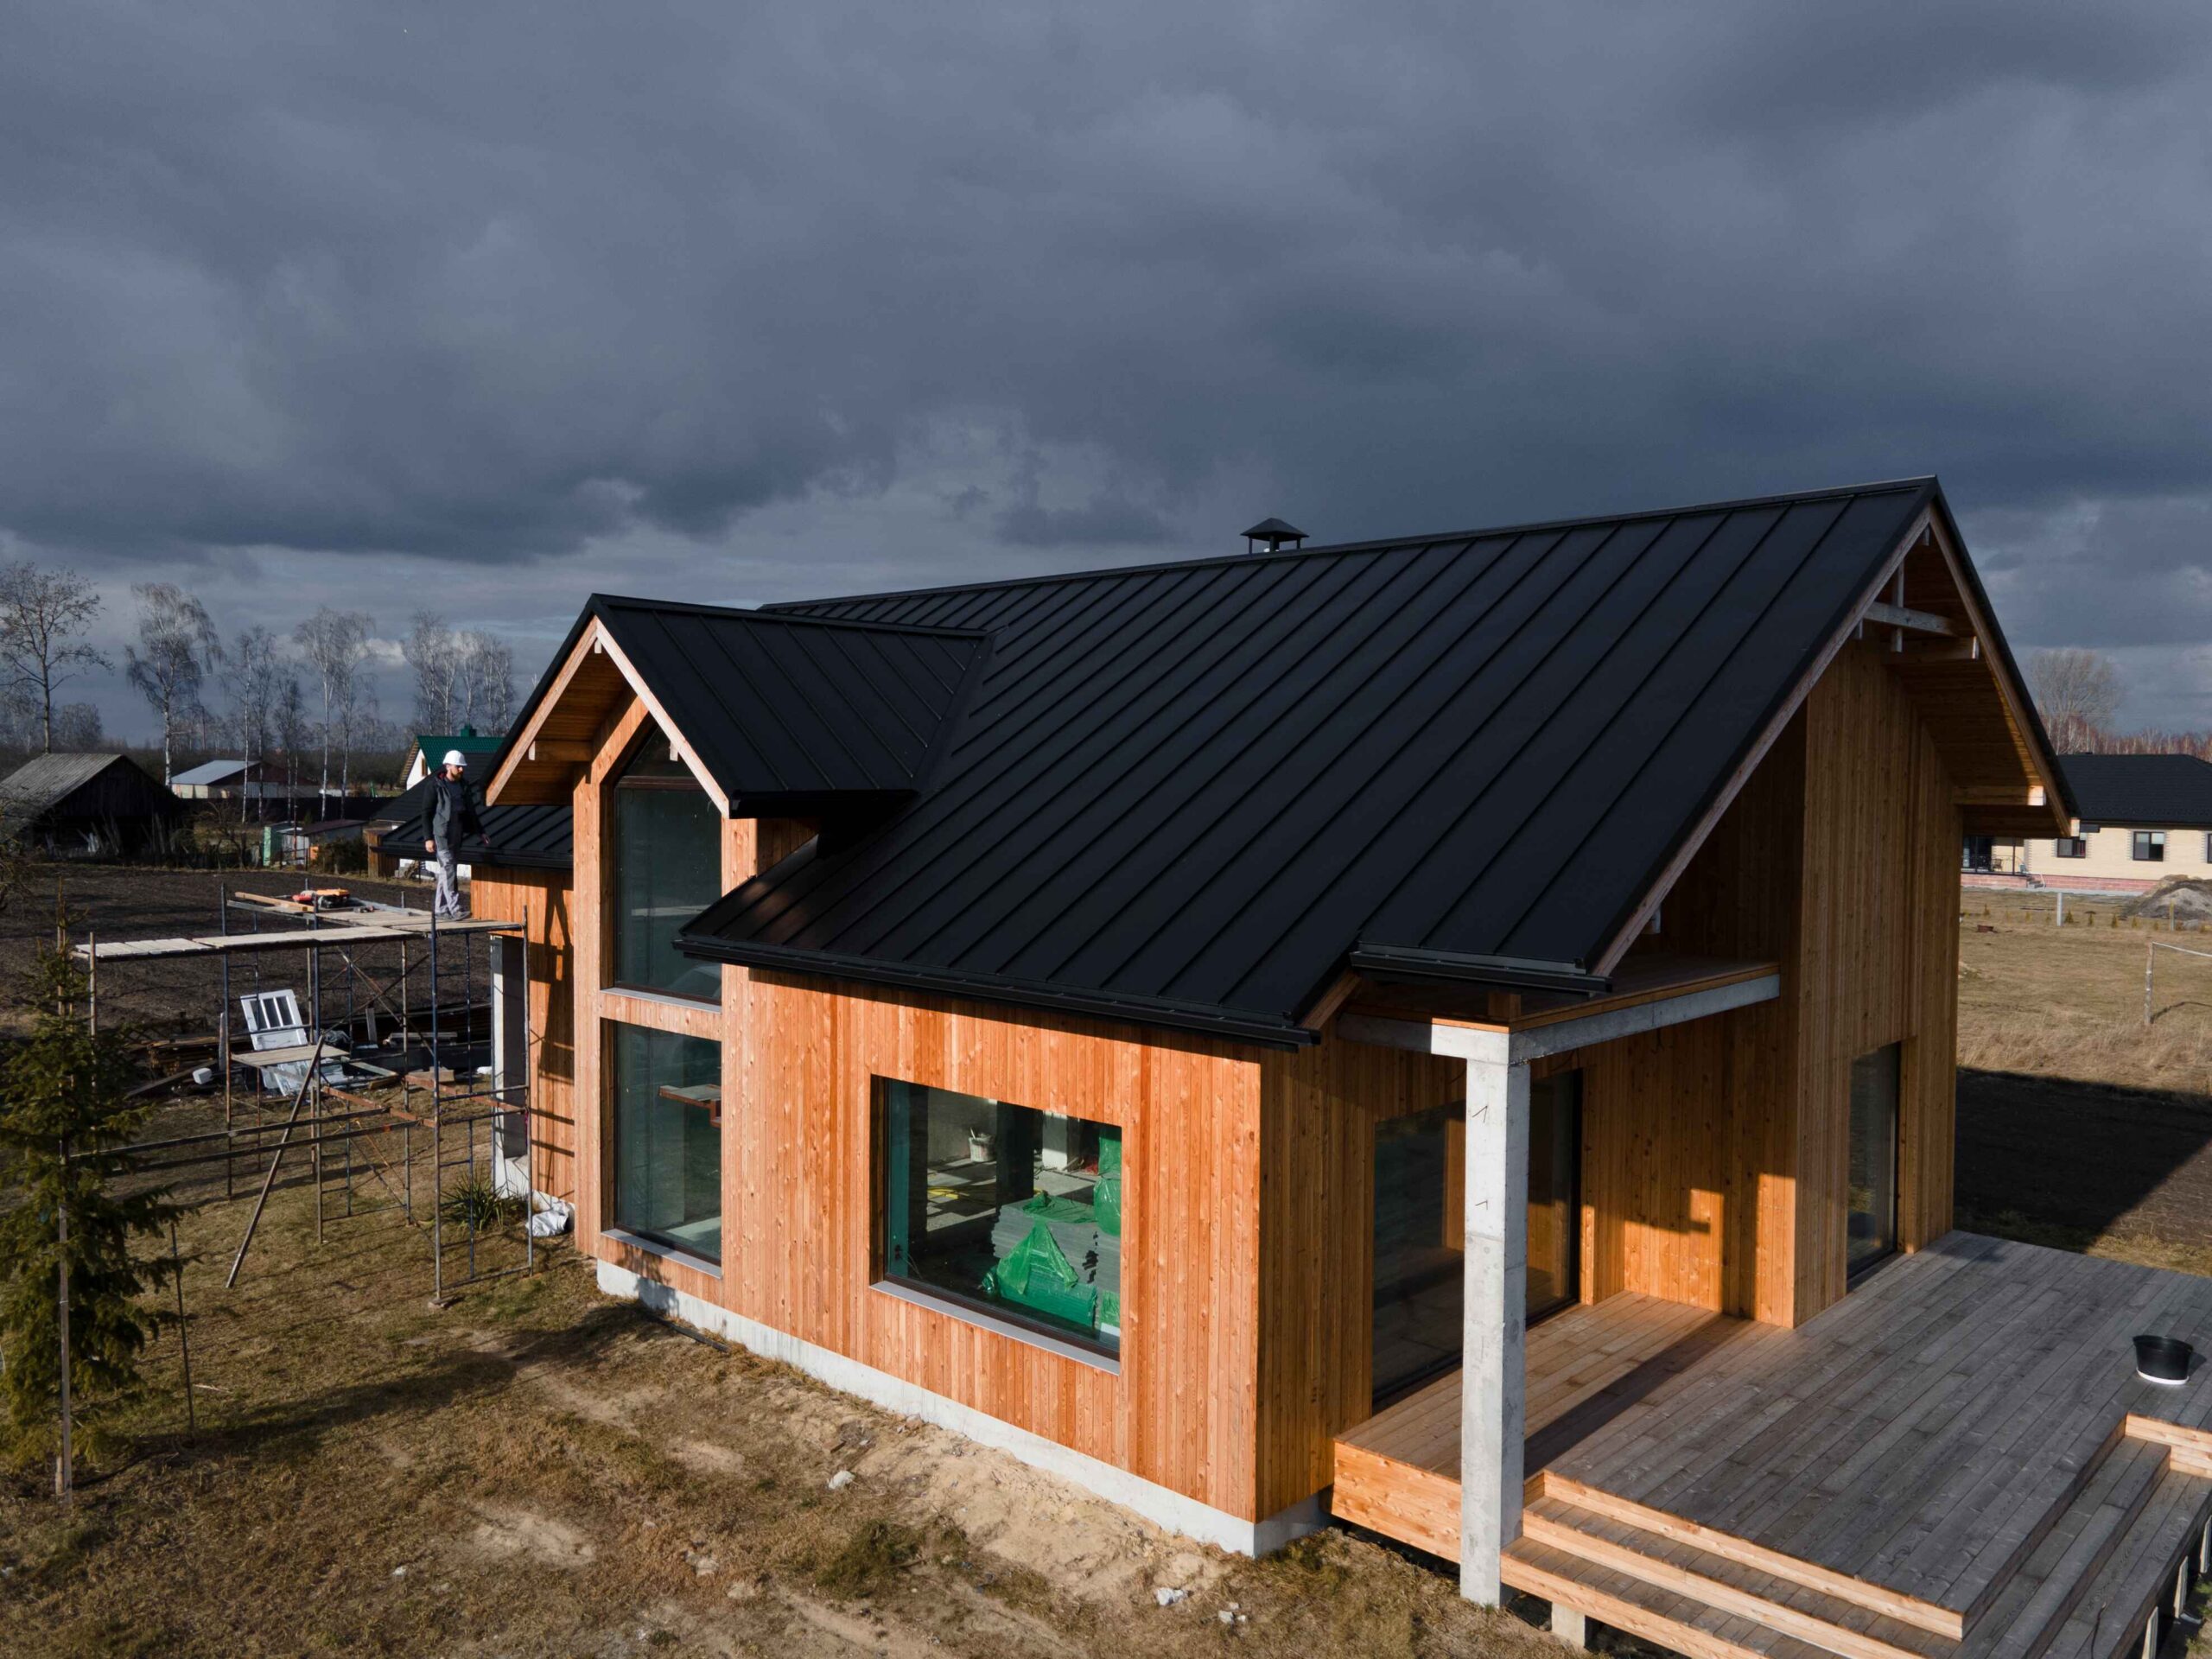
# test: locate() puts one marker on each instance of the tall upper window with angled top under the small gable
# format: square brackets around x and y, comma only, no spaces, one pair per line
[667,870]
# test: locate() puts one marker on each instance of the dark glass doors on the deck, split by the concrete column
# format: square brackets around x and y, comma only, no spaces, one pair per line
[1421,1229]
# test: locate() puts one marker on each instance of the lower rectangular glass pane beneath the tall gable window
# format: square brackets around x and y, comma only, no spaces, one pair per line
[669,1140]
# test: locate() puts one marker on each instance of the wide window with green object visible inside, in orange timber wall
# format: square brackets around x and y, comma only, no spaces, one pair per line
[1005,1211]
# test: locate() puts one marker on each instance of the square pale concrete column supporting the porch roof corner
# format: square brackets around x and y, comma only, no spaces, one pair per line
[1494,1373]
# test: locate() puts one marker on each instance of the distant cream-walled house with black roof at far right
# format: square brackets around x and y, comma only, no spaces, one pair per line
[2145,820]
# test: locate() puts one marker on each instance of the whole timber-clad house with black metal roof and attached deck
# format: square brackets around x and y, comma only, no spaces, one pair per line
[1450,1032]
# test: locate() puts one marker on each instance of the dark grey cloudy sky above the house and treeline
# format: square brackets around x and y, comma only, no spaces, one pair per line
[490,306]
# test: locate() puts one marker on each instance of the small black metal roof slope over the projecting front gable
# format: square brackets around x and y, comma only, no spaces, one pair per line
[793,713]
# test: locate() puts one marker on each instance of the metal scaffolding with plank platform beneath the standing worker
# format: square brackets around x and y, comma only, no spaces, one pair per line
[344,1100]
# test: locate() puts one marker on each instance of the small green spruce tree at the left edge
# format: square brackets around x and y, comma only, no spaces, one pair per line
[65,1125]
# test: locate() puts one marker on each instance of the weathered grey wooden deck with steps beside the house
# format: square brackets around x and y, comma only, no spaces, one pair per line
[1959,1459]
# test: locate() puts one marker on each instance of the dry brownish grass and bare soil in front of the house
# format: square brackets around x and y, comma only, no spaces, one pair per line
[541,1470]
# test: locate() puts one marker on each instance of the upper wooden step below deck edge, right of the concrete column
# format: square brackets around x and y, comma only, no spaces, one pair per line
[1819,1618]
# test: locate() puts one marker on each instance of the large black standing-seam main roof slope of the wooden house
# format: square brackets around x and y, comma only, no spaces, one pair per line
[1193,793]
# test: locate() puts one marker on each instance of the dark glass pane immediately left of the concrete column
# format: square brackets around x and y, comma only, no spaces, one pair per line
[1421,1264]
